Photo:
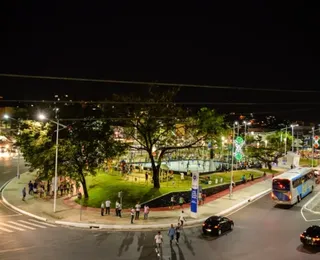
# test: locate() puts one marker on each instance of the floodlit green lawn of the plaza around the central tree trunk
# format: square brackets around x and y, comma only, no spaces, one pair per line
[103,186]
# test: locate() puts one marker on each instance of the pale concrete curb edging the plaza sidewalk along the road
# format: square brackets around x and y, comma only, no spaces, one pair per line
[160,226]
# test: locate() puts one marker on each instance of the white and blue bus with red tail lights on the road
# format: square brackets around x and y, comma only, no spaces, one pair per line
[290,187]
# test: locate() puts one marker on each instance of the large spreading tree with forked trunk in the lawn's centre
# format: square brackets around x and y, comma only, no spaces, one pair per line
[158,126]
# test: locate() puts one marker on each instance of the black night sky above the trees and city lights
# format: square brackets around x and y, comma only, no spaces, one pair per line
[257,44]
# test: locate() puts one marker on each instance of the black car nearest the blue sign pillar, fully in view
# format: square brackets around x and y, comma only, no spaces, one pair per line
[216,225]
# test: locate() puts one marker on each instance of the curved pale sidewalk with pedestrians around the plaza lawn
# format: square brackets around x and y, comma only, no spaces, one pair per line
[68,211]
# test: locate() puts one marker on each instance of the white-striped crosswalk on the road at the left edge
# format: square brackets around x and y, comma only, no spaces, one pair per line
[23,225]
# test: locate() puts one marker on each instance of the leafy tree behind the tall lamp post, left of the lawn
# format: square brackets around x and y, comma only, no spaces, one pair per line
[81,150]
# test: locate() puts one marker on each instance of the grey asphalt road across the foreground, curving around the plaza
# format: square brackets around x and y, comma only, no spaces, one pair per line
[262,231]
